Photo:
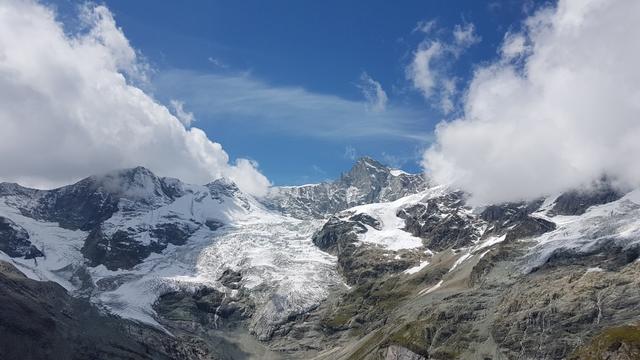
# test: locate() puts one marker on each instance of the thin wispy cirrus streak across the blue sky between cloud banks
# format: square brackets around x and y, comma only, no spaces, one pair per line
[290,109]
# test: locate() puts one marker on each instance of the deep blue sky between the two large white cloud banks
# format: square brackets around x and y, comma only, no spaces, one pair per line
[280,82]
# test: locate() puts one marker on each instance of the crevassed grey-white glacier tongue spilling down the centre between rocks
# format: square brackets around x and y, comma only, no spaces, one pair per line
[286,274]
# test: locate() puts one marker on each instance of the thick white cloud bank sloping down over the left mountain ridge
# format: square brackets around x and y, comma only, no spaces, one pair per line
[69,107]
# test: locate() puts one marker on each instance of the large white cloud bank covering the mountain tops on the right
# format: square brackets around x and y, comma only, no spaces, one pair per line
[558,109]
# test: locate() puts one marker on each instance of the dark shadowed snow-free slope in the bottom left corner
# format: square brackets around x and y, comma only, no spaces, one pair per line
[39,320]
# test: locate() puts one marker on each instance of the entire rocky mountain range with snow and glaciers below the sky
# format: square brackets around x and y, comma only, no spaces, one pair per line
[377,265]
